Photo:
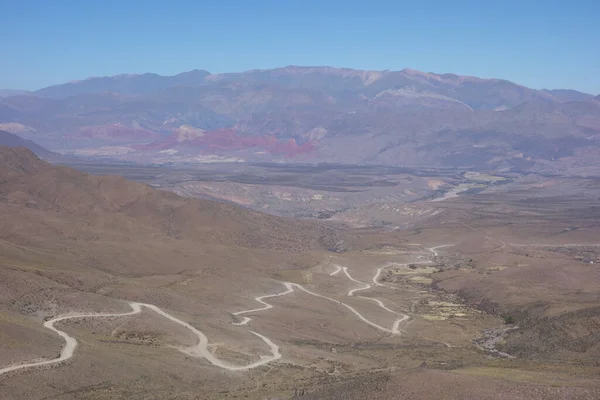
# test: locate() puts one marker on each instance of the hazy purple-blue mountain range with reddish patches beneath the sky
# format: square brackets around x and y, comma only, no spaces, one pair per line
[312,115]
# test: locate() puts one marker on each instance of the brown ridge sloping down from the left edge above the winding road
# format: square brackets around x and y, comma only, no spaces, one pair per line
[131,207]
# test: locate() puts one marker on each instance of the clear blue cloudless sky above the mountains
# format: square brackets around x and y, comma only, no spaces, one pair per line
[541,44]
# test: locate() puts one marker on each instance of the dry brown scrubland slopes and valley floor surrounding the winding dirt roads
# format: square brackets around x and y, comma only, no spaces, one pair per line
[519,253]
